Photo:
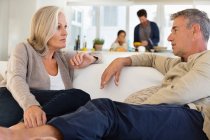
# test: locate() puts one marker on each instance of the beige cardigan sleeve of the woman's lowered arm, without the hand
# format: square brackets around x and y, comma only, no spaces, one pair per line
[16,77]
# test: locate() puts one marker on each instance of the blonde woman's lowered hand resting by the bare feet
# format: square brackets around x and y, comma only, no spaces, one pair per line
[34,116]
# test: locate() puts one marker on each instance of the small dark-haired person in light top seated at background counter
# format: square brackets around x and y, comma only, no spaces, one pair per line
[119,45]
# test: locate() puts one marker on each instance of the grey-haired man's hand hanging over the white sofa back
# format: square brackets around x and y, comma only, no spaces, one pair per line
[114,69]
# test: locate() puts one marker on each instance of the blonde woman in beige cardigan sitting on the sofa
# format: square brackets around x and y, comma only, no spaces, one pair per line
[38,83]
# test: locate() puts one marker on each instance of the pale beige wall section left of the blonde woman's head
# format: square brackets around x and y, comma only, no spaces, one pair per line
[19,19]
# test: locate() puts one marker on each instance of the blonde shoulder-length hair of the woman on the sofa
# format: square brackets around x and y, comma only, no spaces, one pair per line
[43,27]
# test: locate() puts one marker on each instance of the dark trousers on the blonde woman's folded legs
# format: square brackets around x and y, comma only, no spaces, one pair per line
[53,102]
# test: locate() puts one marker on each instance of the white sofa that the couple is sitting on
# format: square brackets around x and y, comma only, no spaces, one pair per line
[132,79]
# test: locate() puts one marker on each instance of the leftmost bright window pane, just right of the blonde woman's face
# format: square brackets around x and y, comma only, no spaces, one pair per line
[82,23]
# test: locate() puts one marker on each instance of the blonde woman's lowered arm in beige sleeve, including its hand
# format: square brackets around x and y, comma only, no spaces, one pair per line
[17,84]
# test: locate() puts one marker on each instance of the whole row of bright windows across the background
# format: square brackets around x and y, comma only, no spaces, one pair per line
[105,21]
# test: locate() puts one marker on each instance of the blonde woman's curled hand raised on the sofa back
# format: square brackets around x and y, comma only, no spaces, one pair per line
[82,60]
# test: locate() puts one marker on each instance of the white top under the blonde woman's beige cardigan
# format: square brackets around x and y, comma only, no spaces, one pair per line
[56,82]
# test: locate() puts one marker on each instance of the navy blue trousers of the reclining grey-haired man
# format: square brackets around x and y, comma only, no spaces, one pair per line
[103,119]
